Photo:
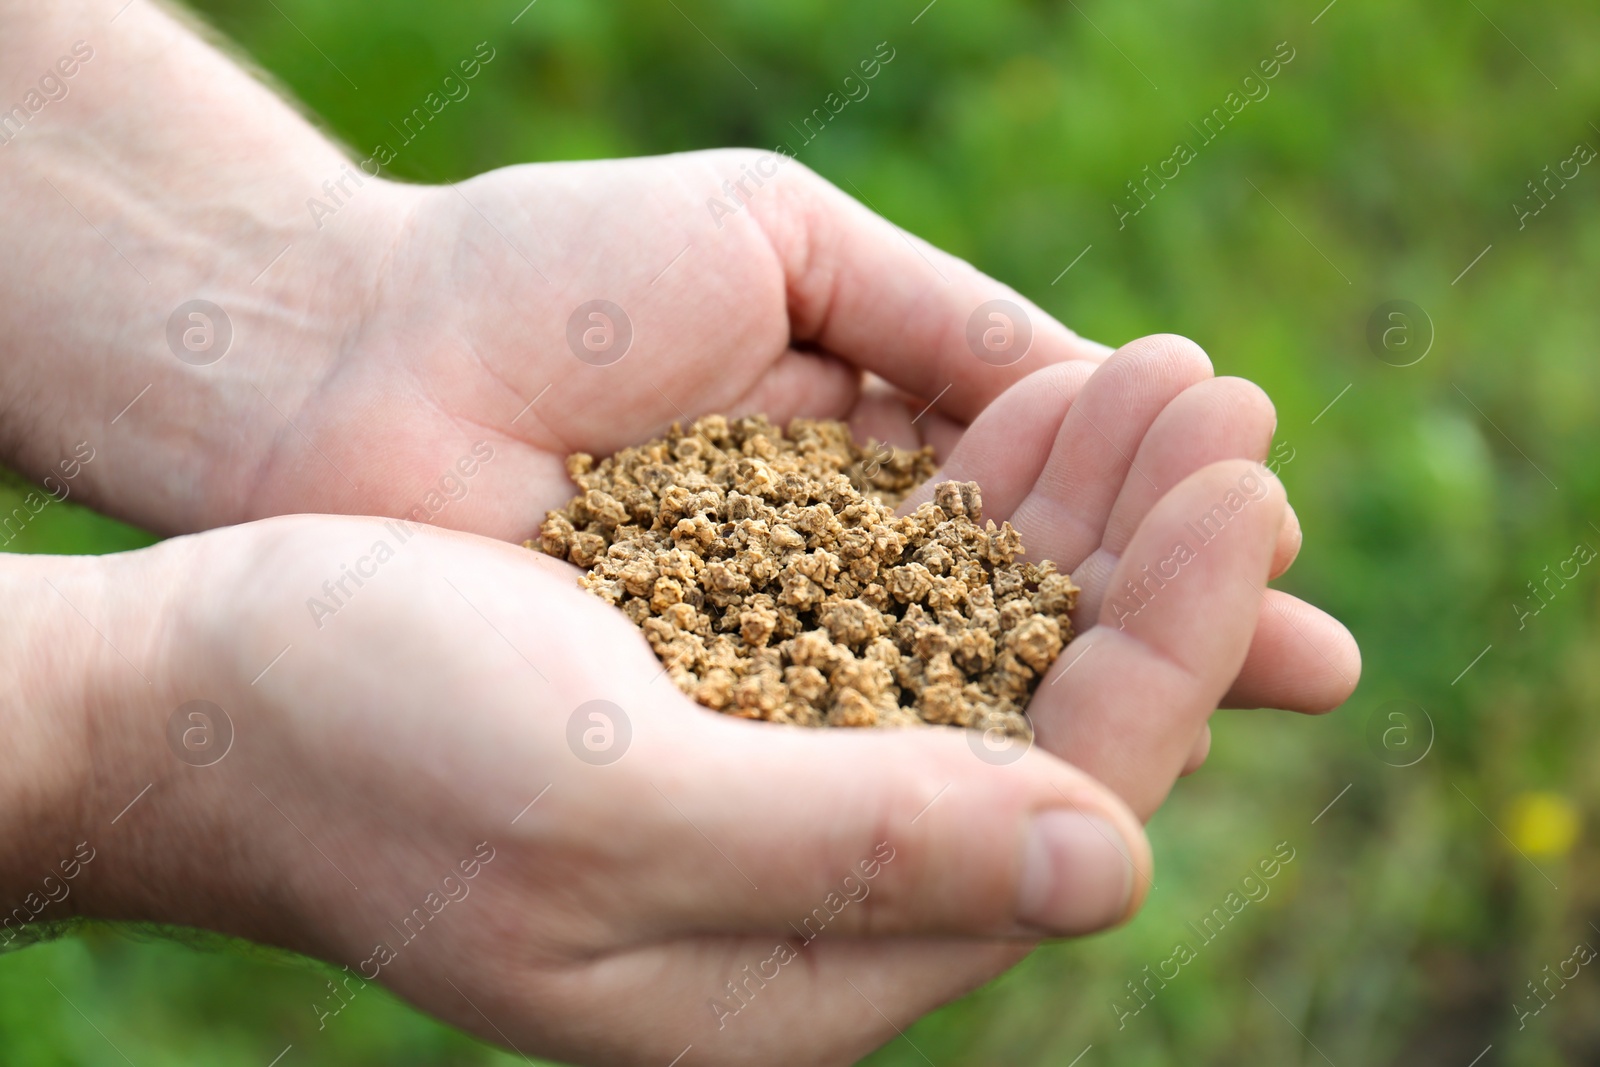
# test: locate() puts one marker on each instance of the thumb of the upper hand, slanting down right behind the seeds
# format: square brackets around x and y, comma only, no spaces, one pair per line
[894,305]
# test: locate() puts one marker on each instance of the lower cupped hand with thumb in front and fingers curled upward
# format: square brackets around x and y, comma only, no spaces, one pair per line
[647,852]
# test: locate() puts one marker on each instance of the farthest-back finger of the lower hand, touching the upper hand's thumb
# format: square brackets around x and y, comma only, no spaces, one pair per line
[1007,447]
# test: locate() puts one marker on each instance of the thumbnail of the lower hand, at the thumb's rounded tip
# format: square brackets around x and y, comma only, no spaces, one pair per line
[1076,874]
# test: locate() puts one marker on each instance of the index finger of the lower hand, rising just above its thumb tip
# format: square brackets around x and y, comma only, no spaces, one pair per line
[1127,700]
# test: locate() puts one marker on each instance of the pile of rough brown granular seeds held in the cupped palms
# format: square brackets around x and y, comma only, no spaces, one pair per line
[775,581]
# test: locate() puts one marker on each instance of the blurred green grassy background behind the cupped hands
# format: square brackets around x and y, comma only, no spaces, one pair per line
[1383,162]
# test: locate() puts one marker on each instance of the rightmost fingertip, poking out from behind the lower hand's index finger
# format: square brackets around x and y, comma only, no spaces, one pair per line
[1302,660]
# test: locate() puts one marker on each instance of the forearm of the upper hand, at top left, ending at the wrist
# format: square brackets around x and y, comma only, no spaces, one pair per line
[142,170]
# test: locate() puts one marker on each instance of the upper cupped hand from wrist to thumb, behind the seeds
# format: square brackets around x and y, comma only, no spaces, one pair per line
[476,319]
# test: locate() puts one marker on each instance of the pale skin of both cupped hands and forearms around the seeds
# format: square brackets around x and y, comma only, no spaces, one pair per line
[422,719]
